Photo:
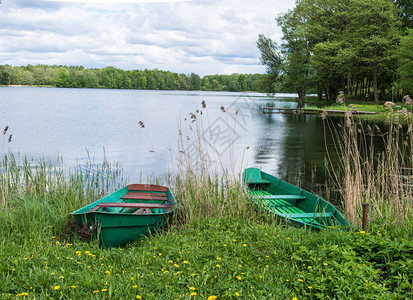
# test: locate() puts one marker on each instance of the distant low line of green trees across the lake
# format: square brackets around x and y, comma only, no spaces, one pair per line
[113,78]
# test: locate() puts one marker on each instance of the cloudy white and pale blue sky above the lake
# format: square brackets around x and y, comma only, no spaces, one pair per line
[201,36]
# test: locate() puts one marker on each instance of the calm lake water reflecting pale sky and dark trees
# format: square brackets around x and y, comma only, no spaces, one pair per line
[50,122]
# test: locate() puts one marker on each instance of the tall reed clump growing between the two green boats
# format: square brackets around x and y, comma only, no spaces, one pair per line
[207,183]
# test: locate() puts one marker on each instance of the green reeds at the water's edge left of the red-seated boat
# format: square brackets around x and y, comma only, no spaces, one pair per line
[36,195]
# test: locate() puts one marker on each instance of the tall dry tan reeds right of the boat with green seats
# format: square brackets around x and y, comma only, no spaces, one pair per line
[381,177]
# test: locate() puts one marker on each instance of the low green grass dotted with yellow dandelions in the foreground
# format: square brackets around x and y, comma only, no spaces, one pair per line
[219,257]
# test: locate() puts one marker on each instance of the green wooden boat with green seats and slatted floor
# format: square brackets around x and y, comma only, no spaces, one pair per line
[290,203]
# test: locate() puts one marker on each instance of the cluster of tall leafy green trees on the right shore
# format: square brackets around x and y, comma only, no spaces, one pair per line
[360,47]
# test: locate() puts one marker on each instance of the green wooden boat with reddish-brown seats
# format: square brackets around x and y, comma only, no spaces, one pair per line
[128,213]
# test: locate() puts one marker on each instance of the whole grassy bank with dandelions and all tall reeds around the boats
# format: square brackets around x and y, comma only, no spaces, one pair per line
[217,246]
